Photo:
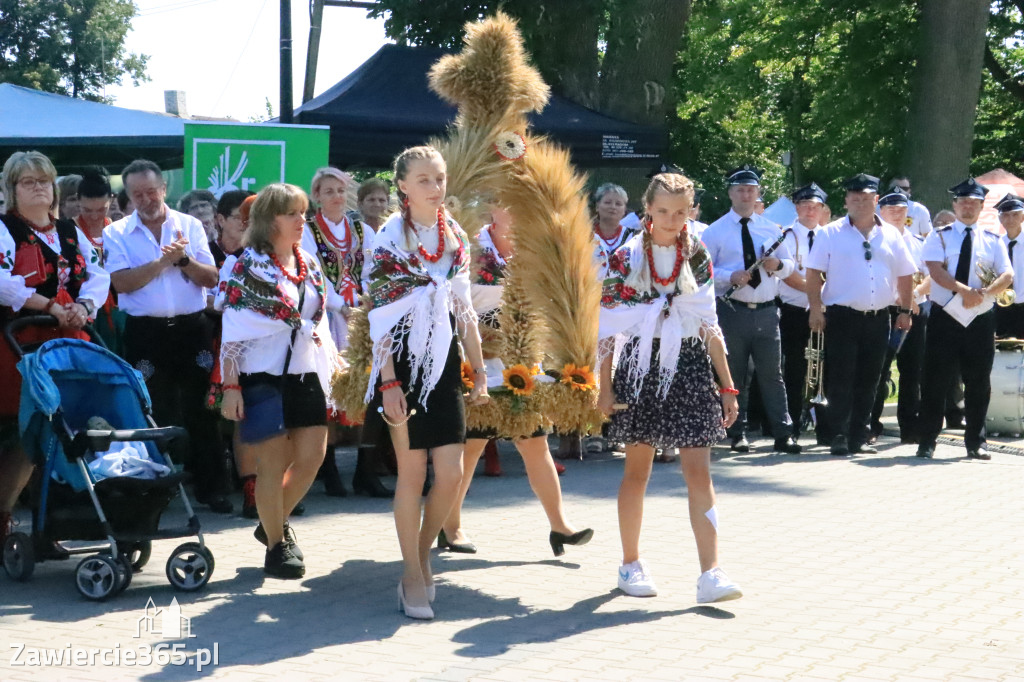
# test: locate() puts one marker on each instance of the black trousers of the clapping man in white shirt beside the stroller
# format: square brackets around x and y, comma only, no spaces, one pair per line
[176,357]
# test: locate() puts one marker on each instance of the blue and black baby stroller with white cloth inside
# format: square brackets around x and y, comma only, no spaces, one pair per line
[66,385]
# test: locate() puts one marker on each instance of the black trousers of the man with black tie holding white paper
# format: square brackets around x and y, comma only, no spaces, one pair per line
[973,350]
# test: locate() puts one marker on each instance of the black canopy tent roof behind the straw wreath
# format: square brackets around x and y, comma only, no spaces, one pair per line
[386,106]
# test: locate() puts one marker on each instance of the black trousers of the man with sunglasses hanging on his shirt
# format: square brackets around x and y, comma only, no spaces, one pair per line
[856,352]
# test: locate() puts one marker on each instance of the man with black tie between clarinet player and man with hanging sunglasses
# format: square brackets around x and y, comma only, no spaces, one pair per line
[794,319]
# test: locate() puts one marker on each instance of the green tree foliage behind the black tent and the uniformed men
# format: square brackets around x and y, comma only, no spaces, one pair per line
[826,86]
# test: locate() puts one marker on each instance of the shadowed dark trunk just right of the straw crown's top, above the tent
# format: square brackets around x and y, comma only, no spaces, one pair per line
[563,39]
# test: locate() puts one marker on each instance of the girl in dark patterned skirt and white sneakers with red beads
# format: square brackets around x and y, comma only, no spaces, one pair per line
[659,295]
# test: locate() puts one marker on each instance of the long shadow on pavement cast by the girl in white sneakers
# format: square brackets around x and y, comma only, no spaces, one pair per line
[495,637]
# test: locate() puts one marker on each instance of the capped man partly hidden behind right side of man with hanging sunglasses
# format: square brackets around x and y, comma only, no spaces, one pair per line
[911,356]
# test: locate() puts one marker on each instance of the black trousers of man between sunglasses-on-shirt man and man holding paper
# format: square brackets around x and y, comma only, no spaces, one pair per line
[910,362]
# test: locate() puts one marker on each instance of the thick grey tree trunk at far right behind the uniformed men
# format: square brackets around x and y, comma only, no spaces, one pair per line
[945,101]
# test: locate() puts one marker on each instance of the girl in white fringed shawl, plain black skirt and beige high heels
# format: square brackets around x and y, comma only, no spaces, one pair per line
[420,292]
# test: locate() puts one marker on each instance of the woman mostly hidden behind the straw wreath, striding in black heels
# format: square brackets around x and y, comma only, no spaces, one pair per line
[489,272]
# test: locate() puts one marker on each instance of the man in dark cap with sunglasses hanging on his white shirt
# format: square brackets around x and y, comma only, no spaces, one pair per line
[865,261]
